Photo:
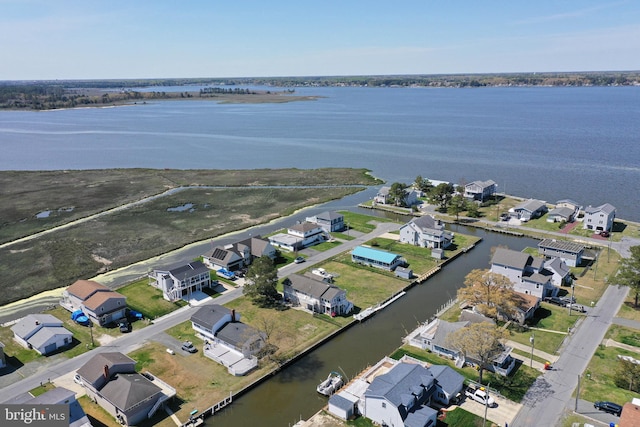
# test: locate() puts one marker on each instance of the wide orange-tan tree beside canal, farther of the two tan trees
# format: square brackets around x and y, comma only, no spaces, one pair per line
[492,294]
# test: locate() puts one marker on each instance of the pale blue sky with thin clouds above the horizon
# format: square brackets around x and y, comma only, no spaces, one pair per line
[114,39]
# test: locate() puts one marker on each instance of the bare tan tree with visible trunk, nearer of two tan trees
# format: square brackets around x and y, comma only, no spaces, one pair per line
[480,342]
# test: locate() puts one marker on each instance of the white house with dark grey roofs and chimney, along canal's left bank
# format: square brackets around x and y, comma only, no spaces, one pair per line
[224,334]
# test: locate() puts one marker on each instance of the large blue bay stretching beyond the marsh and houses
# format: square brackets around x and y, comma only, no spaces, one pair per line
[548,143]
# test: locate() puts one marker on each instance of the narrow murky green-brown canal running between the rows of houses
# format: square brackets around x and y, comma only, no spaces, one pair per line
[290,395]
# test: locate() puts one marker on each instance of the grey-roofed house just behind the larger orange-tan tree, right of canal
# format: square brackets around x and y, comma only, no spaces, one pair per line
[526,273]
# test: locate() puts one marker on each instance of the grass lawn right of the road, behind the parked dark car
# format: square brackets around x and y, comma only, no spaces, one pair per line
[598,381]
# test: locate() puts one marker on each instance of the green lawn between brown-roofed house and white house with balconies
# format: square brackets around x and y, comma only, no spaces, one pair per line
[146,299]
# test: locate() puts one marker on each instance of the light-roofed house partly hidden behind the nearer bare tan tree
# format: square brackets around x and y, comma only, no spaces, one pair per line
[433,336]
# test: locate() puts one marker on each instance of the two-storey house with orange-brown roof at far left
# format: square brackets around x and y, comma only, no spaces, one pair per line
[98,302]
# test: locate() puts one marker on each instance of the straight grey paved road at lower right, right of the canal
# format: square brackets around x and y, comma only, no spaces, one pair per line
[552,392]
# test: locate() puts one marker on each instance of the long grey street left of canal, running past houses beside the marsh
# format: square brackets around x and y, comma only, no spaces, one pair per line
[14,383]
